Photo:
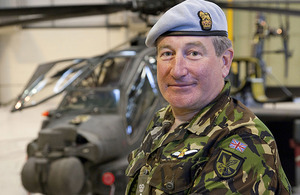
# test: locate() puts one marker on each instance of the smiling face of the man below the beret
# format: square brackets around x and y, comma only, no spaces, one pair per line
[189,73]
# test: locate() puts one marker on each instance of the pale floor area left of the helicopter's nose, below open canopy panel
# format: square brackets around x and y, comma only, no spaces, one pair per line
[17,130]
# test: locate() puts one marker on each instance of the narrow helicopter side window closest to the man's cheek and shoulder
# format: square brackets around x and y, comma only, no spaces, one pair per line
[140,99]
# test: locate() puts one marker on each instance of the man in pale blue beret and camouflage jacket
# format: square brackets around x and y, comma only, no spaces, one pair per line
[203,142]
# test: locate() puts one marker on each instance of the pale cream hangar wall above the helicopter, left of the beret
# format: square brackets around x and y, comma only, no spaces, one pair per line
[21,50]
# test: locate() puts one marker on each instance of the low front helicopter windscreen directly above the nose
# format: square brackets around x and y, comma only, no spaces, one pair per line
[91,100]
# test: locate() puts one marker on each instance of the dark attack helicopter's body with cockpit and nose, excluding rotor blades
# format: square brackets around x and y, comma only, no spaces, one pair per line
[83,144]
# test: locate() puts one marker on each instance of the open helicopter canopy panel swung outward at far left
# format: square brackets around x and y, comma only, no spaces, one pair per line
[49,80]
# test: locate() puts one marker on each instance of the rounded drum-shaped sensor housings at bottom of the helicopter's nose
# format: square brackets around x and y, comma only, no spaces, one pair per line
[63,176]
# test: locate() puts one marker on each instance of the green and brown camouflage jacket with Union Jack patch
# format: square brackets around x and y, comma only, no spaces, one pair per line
[224,149]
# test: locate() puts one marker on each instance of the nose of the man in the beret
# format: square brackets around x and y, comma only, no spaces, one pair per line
[178,68]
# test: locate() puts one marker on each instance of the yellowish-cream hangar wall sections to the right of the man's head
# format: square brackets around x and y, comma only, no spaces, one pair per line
[244,30]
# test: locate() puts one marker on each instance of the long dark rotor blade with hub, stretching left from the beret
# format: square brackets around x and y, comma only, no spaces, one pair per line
[39,14]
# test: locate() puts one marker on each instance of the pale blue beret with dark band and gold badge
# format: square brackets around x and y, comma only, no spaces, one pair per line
[190,18]
